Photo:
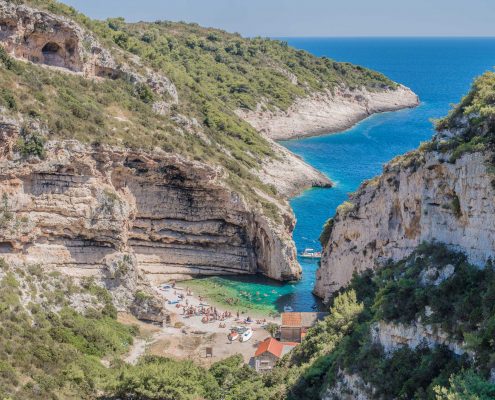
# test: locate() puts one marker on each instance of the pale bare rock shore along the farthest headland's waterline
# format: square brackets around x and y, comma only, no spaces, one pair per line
[327,111]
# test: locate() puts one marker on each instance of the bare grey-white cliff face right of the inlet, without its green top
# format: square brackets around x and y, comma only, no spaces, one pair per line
[419,197]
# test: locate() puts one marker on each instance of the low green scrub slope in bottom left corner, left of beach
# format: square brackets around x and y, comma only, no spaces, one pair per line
[48,348]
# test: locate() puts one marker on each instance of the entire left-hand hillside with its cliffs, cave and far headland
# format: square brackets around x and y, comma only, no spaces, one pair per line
[81,208]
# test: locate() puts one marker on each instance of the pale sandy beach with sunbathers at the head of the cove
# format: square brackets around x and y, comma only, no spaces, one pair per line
[188,336]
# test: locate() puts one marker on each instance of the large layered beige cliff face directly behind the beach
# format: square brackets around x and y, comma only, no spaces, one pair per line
[81,207]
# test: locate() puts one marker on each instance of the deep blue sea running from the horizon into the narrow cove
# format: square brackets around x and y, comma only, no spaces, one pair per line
[439,70]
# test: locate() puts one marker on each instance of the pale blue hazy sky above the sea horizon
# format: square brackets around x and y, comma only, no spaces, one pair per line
[278,18]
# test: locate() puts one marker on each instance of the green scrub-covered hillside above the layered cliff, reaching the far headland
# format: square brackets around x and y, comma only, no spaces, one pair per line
[215,73]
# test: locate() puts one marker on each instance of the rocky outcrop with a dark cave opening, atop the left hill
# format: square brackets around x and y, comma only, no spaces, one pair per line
[53,41]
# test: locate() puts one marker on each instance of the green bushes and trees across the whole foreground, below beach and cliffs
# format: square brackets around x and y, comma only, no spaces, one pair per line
[50,349]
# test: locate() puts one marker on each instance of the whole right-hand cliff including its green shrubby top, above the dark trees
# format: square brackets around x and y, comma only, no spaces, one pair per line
[442,192]
